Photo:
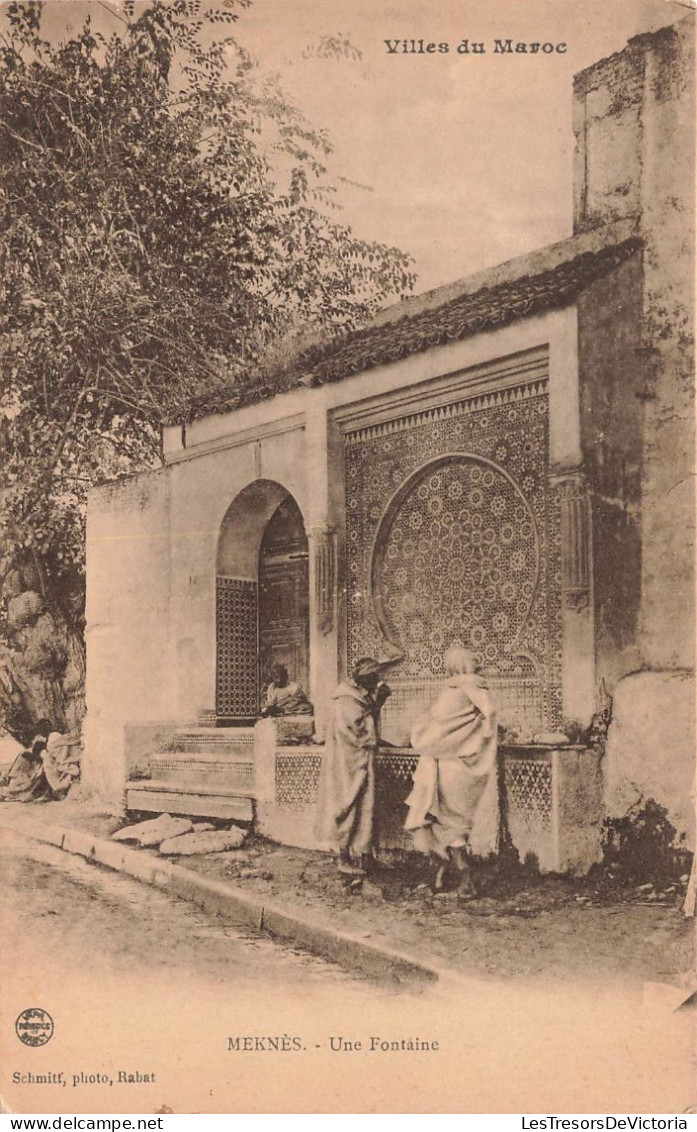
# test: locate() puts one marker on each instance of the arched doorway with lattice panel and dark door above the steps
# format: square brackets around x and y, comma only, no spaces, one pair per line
[262,598]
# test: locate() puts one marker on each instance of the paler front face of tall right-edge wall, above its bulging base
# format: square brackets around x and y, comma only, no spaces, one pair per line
[668,226]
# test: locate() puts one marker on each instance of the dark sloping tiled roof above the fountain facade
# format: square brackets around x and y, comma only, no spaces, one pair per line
[485,310]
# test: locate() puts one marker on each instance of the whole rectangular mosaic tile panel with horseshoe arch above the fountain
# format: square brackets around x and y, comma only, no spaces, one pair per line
[453,536]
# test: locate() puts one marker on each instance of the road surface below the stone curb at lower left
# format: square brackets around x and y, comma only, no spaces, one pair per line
[62,911]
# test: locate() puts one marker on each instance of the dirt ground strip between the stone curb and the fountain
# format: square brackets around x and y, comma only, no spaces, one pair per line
[521,927]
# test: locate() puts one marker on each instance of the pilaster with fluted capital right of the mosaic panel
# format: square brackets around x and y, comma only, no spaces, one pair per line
[579,647]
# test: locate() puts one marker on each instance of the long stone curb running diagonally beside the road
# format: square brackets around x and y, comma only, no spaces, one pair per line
[244,908]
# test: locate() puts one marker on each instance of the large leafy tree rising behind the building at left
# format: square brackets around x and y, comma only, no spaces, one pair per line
[168,221]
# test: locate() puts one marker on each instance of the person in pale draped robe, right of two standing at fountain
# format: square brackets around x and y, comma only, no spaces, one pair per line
[454,807]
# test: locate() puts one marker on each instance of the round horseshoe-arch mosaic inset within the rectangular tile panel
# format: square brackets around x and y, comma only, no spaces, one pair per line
[455,561]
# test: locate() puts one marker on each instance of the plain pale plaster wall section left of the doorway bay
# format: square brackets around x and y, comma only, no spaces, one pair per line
[130,672]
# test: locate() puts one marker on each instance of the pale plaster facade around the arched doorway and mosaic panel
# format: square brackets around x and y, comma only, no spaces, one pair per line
[170,579]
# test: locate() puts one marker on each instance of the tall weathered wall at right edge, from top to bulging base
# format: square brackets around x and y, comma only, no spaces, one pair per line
[635,138]
